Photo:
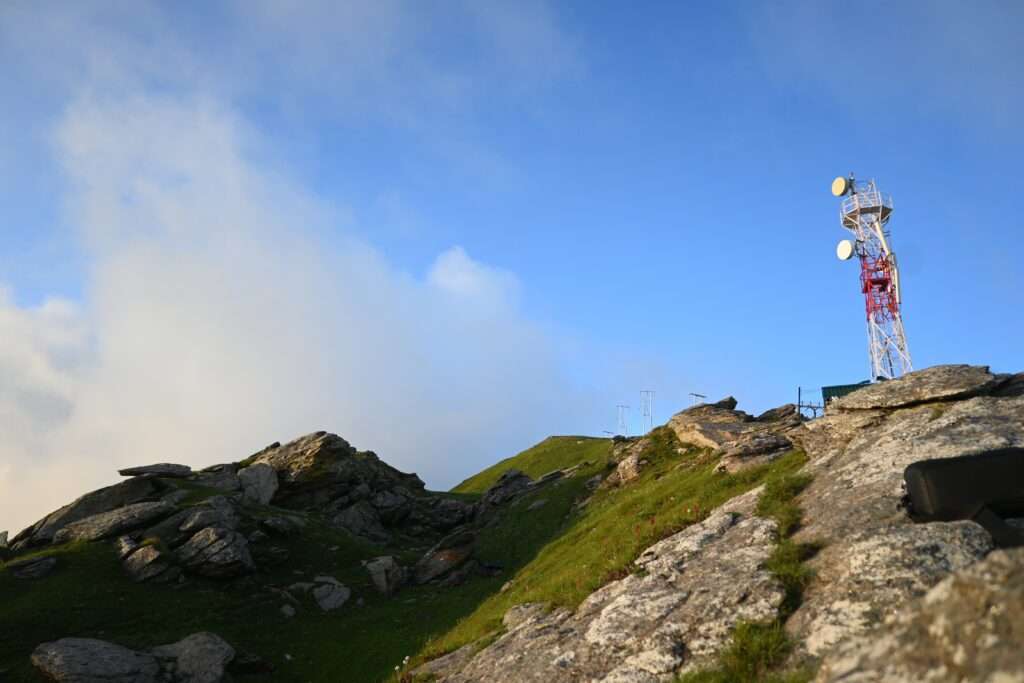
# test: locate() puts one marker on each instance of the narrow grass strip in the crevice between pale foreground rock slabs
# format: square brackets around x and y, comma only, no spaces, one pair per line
[759,650]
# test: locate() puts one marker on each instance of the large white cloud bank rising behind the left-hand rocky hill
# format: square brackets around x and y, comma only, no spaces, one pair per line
[216,322]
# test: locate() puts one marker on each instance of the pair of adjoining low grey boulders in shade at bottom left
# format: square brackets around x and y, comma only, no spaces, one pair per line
[201,658]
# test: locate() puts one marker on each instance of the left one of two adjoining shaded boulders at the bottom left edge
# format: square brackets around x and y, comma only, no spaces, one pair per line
[91,661]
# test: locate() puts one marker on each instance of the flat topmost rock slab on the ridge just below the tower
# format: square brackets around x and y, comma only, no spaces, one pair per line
[933,385]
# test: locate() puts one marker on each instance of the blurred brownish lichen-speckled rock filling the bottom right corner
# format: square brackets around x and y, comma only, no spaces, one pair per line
[968,628]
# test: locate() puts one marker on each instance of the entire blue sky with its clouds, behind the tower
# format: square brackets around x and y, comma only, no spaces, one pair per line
[531,211]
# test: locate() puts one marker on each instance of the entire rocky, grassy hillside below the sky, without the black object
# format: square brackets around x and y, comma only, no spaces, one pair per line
[722,546]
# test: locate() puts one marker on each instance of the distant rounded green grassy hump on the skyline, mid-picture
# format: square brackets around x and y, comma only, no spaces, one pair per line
[554,453]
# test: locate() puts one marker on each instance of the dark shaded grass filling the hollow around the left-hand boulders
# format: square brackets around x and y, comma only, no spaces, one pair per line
[90,596]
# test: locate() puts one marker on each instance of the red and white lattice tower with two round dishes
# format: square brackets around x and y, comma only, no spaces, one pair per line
[866,214]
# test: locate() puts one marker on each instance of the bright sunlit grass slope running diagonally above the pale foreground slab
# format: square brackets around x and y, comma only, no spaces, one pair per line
[600,543]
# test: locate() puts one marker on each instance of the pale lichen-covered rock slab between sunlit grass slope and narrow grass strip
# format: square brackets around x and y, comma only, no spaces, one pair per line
[676,617]
